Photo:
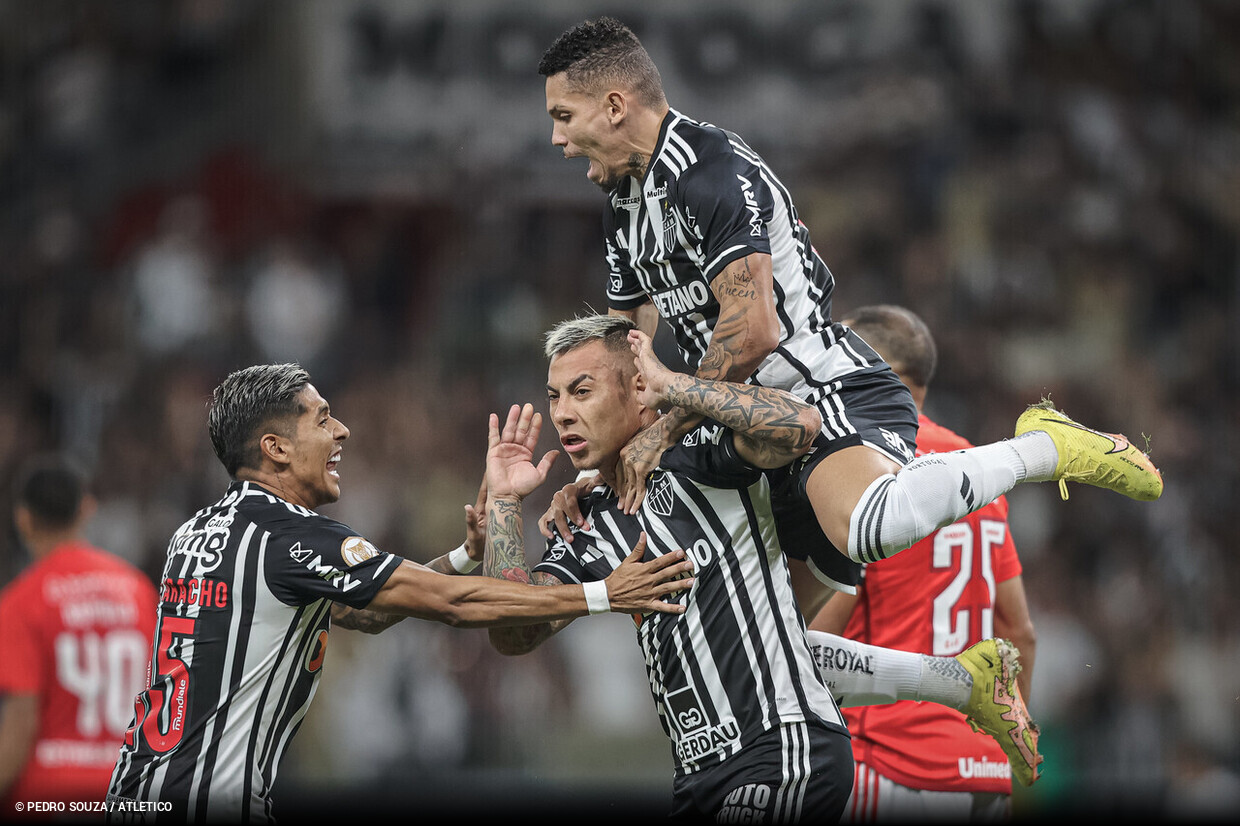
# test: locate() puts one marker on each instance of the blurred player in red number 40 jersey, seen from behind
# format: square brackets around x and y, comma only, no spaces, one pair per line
[75,633]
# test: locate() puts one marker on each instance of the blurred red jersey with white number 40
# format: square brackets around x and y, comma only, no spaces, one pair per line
[76,631]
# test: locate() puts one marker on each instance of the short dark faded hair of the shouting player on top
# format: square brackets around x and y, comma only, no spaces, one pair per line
[604,51]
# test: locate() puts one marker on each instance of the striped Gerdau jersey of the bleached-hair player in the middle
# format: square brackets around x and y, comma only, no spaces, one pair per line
[737,663]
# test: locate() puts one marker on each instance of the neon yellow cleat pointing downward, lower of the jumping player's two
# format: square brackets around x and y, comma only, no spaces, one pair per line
[996,706]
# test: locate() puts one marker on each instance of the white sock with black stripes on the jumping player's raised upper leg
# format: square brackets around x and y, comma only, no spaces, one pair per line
[934,491]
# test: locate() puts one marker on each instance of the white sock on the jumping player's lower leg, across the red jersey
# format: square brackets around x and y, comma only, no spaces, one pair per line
[859,674]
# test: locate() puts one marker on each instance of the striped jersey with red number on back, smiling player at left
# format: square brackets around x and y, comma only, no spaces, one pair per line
[244,622]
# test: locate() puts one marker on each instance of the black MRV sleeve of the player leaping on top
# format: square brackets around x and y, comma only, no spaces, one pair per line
[728,206]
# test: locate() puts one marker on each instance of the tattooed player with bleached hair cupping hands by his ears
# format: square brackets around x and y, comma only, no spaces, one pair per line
[756,734]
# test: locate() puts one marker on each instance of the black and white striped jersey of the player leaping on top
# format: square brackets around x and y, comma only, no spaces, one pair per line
[707,200]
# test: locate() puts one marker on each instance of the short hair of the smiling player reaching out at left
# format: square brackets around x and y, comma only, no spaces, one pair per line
[250,402]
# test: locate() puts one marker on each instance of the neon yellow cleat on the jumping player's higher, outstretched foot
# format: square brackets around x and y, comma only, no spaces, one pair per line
[1093,458]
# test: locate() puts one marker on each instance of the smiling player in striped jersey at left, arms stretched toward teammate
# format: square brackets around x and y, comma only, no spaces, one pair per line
[252,587]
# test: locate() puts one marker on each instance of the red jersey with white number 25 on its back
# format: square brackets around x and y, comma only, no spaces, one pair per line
[934,598]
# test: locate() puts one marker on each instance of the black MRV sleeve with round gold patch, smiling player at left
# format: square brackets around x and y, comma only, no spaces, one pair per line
[321,559]
